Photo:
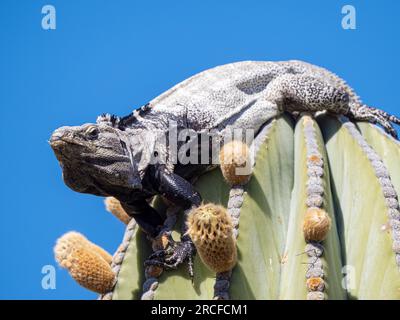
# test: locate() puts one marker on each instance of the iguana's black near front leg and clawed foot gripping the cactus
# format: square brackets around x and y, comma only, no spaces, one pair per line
[181,192]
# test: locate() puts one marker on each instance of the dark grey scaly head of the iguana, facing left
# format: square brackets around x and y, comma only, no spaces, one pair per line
[99,159]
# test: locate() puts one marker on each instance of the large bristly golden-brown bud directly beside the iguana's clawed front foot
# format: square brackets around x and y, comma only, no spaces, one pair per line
[211,230]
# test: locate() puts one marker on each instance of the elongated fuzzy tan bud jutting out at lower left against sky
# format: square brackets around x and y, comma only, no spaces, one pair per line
[87,263]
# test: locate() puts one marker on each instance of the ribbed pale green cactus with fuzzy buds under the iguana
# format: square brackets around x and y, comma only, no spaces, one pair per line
[318,219]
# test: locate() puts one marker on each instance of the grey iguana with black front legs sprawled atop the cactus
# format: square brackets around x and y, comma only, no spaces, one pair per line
[111,157]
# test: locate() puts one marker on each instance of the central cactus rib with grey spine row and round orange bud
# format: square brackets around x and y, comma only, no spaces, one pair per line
[311,194]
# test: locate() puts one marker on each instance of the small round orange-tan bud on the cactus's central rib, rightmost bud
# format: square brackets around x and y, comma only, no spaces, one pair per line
[316,225]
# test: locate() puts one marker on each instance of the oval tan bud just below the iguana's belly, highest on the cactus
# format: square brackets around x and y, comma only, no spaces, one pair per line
[235,162]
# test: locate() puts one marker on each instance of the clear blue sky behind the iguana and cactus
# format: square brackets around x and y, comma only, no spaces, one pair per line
[112,56]
